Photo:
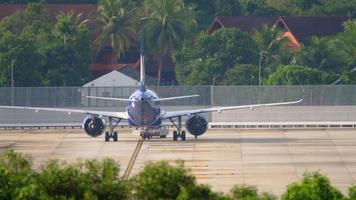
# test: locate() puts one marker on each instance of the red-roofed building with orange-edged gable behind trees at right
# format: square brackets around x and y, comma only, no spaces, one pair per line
[297,29]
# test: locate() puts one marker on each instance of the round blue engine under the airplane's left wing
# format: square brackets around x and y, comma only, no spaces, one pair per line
[94,126]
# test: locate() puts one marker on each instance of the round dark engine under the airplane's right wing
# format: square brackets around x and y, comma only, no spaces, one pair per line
[197,124]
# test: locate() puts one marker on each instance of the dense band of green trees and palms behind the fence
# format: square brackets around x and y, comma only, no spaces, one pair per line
[47,53]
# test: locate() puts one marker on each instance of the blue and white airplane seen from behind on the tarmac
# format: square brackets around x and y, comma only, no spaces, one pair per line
[143,111]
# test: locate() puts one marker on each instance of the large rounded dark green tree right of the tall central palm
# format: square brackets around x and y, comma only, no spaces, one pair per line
[206,60]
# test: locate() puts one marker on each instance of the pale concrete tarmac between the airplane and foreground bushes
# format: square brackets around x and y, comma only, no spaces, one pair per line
[267,159]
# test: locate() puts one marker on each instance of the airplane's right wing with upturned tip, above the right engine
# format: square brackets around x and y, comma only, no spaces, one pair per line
[171,114]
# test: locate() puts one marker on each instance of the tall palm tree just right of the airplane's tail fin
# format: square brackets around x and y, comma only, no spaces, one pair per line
[167,24]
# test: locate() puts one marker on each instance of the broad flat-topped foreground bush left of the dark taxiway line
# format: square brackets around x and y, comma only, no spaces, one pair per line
[83,180]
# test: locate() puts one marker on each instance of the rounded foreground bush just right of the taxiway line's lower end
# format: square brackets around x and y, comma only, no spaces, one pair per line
[163,181]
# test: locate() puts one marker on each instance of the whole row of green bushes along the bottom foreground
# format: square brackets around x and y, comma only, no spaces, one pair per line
[93,179]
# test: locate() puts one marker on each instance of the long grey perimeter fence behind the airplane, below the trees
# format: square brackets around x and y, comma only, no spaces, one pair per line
[321,95]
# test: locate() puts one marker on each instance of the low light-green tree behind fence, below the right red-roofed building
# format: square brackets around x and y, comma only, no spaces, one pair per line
[299,75]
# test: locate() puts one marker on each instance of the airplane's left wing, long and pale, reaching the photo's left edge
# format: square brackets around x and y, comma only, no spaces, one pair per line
[121,115]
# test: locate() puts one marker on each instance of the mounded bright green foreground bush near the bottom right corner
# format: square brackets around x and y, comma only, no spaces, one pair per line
[314,186]
